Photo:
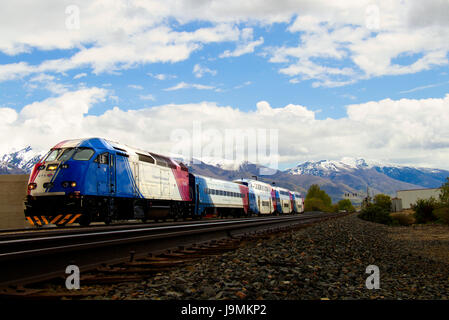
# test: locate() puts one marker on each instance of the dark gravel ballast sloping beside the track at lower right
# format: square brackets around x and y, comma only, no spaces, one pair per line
[325,261]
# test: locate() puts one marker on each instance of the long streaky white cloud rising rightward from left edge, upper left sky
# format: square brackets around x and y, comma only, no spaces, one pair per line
[157,44]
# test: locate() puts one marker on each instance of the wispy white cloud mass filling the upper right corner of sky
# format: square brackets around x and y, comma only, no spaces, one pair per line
[337,46]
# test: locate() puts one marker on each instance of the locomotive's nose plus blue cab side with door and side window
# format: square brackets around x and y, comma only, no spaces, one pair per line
[60,182]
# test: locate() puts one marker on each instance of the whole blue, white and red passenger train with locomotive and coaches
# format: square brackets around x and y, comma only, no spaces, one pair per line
[98,180]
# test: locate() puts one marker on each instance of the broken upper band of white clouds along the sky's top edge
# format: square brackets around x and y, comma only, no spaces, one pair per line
[336,43]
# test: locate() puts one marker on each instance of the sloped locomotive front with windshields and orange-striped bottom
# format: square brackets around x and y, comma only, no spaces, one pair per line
[57,184]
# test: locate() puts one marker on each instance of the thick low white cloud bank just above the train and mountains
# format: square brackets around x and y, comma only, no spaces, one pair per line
[403,131]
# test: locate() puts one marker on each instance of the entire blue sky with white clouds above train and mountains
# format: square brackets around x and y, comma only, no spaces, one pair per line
[358,65]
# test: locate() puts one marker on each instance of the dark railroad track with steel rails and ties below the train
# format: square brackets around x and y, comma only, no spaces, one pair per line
[129,251]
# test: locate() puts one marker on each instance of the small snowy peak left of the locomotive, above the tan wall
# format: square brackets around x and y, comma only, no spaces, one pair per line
[21,161]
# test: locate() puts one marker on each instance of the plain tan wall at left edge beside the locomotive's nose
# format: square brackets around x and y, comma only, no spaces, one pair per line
[13,189]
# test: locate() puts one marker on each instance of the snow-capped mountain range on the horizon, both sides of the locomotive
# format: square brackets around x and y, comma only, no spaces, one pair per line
[348,176]
